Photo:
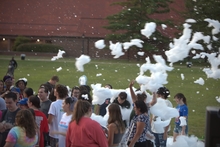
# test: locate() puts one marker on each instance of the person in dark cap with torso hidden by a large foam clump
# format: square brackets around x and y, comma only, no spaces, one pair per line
[161,137]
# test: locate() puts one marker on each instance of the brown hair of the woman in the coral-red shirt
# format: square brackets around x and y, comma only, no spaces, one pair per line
[80,109]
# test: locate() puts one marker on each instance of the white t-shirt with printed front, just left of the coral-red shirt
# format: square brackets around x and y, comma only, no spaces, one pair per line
[63,126]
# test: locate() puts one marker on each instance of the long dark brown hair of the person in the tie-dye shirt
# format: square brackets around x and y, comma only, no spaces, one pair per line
[25,119]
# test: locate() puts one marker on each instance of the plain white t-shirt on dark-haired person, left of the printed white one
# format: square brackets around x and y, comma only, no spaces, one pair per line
[57,111]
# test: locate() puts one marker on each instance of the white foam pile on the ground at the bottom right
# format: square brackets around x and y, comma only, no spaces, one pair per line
[185,141]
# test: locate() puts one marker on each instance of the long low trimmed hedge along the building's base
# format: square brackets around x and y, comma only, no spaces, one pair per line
[33,47]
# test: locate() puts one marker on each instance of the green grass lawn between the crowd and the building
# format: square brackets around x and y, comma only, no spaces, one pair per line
[38,70]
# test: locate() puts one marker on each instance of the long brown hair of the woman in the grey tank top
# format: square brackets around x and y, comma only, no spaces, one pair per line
[115,116]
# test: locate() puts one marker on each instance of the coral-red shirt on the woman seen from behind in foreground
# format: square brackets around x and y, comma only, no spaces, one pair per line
[88,133]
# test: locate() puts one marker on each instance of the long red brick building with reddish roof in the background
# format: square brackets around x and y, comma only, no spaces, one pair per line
[73,24]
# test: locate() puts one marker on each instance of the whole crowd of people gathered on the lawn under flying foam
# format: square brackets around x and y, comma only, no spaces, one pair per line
[54,118]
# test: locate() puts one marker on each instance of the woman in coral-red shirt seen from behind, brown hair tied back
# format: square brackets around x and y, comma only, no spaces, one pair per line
[82,130]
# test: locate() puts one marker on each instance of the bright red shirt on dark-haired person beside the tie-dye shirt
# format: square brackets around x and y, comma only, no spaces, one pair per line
[41,121]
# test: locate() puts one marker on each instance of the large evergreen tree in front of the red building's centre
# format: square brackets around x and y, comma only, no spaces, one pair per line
[126,24]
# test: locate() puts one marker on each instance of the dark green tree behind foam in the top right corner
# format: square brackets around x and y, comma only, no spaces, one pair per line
[200,10]
